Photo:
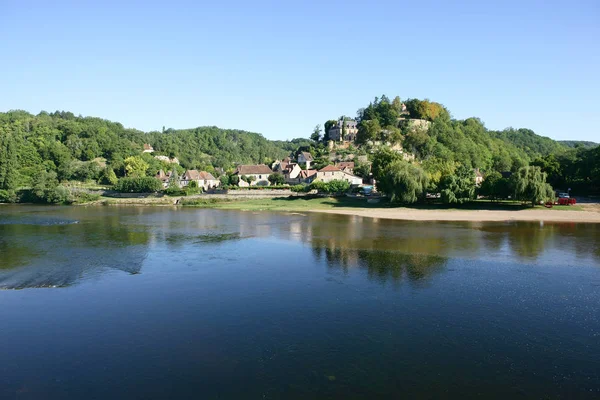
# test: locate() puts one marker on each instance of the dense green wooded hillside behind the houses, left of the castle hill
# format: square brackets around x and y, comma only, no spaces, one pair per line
[77,148]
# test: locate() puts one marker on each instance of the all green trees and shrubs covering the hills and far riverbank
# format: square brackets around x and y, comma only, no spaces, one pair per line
[413,149]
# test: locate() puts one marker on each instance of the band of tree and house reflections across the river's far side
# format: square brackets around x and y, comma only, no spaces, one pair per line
[55,247]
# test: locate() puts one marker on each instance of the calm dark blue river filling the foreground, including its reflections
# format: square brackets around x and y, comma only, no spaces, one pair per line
[123,302]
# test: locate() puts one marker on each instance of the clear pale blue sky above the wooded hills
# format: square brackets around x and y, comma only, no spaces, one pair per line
[281,67]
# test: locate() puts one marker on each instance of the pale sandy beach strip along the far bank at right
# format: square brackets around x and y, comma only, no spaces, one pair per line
[471,215]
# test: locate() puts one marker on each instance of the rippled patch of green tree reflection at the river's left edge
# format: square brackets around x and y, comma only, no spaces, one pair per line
[59,255]
